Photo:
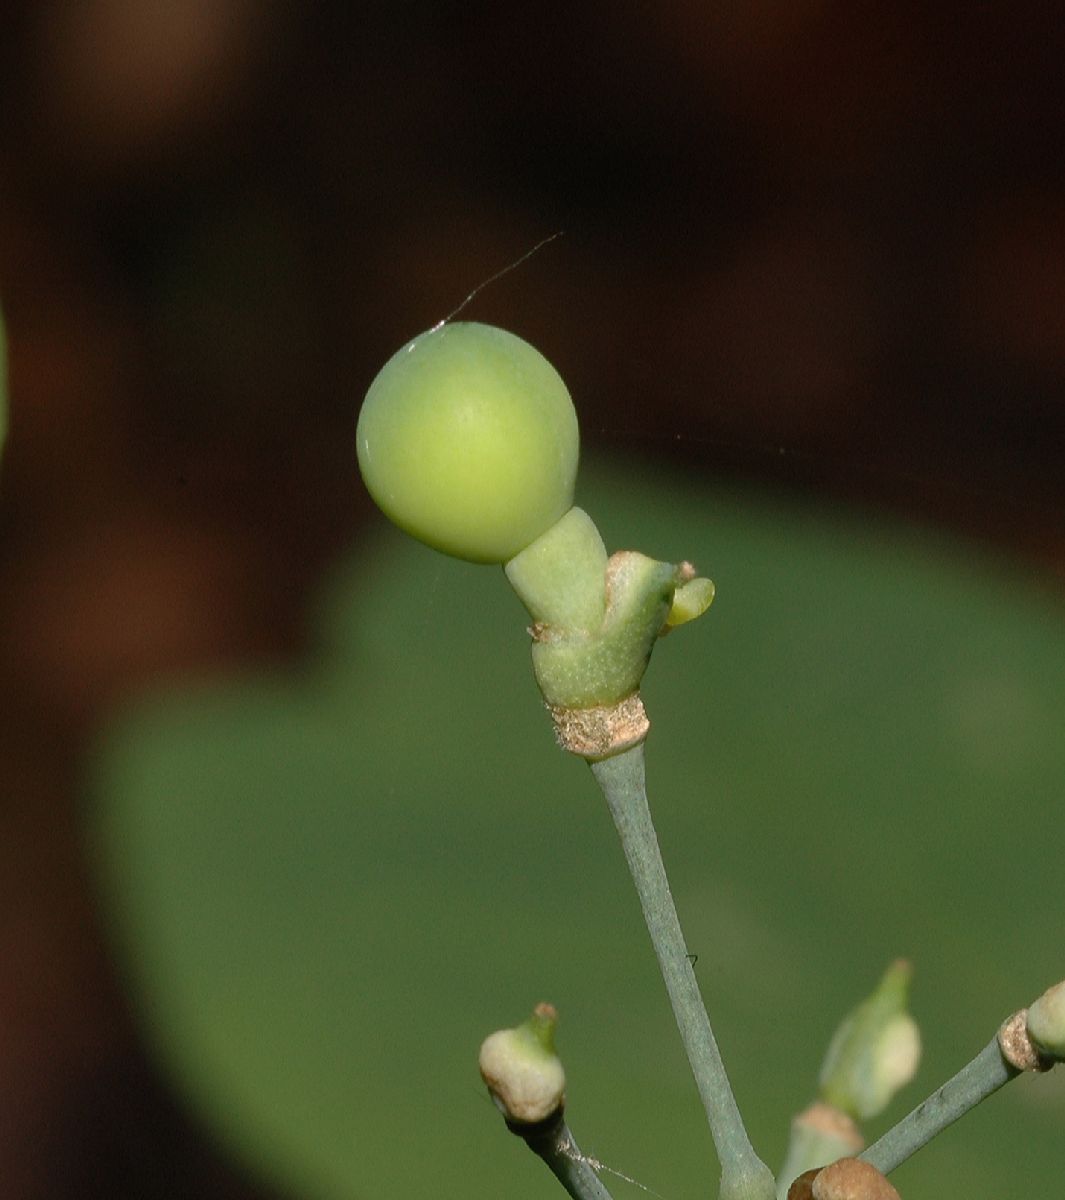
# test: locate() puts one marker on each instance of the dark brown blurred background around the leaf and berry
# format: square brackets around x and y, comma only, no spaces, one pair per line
[820,247]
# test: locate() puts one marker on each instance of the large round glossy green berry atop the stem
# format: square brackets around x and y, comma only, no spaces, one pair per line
[468,441]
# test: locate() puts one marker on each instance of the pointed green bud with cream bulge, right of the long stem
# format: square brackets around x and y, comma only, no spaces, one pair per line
[876,1051]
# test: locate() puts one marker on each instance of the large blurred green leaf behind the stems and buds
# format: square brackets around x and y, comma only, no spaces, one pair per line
[328,887]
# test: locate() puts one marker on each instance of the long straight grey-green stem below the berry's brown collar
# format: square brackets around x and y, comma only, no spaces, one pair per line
[744,1177]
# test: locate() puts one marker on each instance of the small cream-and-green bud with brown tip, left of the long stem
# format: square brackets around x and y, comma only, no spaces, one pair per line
[522,1070]
